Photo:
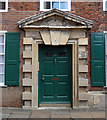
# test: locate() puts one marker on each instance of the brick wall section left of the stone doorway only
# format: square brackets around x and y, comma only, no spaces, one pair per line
[13,97]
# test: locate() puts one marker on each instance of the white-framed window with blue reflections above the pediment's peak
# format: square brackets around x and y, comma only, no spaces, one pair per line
[58,4]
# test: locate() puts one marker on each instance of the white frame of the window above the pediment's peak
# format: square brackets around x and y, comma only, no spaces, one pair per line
[42,5]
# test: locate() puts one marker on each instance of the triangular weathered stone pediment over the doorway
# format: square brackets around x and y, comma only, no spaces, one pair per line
[55,17]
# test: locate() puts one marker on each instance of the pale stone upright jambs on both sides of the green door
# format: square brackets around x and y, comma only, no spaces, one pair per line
[35,69]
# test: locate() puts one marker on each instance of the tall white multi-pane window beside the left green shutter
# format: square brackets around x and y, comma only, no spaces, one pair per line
[2,56]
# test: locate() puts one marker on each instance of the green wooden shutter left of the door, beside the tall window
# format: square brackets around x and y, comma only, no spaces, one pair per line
[12,59]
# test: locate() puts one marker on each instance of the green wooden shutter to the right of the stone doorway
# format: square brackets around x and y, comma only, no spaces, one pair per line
[97,59]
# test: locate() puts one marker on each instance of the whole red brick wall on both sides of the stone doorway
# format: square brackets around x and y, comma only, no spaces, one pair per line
[21,10]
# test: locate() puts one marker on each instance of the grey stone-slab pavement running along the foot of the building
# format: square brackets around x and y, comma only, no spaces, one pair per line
[52,114]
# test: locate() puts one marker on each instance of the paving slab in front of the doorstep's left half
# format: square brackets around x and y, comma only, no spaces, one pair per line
[40,114]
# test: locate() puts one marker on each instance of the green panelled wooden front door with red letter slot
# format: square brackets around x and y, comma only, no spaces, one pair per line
[55,74]
